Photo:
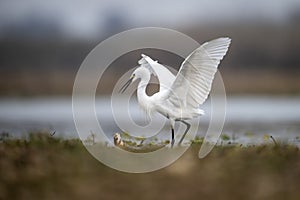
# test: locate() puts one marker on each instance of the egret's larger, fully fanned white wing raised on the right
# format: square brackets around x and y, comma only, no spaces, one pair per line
[194,79]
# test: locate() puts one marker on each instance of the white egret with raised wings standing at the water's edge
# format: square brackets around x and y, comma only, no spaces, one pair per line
[179,97]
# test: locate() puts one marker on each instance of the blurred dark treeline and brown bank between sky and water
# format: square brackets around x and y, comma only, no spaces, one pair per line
[262,59]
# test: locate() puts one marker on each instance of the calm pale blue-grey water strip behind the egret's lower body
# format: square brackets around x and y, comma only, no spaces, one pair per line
[248,118]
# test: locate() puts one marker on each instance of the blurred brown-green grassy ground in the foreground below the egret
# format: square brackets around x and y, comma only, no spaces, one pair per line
[44,167]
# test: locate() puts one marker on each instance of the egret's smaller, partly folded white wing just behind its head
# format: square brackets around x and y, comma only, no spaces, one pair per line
[165,77]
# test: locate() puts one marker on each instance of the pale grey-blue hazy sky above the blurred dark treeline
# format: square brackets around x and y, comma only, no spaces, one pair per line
[84,17]
